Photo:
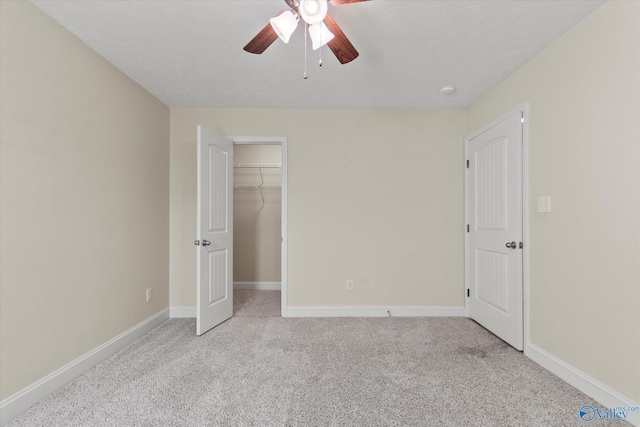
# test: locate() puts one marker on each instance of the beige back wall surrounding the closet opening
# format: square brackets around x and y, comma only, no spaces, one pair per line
[374,195]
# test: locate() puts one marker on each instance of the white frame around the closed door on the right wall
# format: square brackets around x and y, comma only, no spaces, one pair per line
[526,250]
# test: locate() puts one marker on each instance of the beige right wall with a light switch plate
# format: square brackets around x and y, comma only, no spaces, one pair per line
[584,94]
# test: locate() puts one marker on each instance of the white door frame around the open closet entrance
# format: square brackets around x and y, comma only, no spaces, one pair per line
[282,141]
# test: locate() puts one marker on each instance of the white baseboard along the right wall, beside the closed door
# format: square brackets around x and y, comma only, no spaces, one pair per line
[593,388]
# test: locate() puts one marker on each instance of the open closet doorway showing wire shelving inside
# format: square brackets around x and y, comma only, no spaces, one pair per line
[259,240]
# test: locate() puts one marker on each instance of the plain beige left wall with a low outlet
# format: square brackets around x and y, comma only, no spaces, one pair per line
[84,199]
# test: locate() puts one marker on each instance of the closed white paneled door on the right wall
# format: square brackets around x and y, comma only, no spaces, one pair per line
[494,239]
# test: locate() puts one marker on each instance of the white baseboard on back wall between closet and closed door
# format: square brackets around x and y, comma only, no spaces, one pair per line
[373,311]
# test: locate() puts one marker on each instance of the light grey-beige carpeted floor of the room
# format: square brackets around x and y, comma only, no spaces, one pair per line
[270,371]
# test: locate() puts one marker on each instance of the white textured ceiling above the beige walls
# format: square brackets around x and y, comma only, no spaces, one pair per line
[189,53]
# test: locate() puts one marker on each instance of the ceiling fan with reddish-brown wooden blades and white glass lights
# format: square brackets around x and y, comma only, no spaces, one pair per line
[322,28]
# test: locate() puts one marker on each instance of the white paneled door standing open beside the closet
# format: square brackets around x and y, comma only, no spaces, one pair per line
[215,230]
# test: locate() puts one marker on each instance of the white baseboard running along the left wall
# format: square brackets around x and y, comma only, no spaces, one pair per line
[23,400]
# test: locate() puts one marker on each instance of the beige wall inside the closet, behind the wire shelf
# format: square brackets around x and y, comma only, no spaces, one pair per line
[257,214]
